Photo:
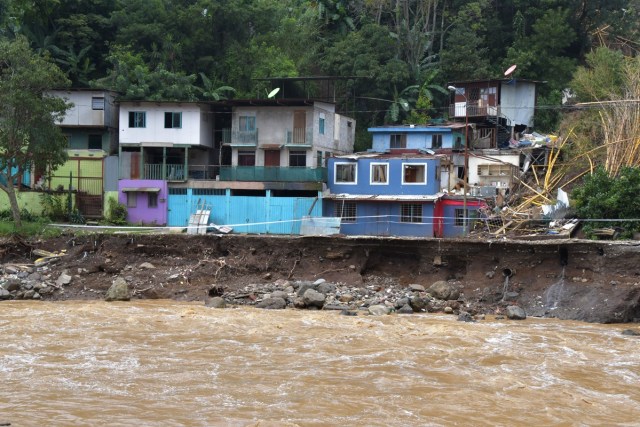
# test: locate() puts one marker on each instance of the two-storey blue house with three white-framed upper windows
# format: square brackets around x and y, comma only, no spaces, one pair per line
[383,194]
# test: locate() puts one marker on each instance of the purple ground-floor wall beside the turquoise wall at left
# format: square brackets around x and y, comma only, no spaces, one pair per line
[142,213]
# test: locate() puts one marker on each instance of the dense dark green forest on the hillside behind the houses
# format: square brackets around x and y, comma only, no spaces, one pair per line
[393,57]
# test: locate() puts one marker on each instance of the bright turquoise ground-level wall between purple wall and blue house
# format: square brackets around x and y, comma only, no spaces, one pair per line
[245,214]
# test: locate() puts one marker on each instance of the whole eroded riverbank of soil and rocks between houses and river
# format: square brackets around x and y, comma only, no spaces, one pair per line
[577,280]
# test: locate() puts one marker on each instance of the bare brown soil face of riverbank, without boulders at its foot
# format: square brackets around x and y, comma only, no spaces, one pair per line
[568,279]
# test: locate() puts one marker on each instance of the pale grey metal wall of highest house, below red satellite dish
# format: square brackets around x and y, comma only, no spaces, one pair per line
[517,102]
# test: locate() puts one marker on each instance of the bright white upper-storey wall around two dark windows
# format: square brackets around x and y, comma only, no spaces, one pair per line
[155,134]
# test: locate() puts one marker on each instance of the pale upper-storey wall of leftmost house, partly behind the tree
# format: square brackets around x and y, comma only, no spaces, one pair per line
[82,113]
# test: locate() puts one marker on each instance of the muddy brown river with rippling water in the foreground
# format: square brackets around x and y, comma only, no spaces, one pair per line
[170,363]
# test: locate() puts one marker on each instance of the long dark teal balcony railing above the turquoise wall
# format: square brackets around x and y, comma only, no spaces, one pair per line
[269,173]
